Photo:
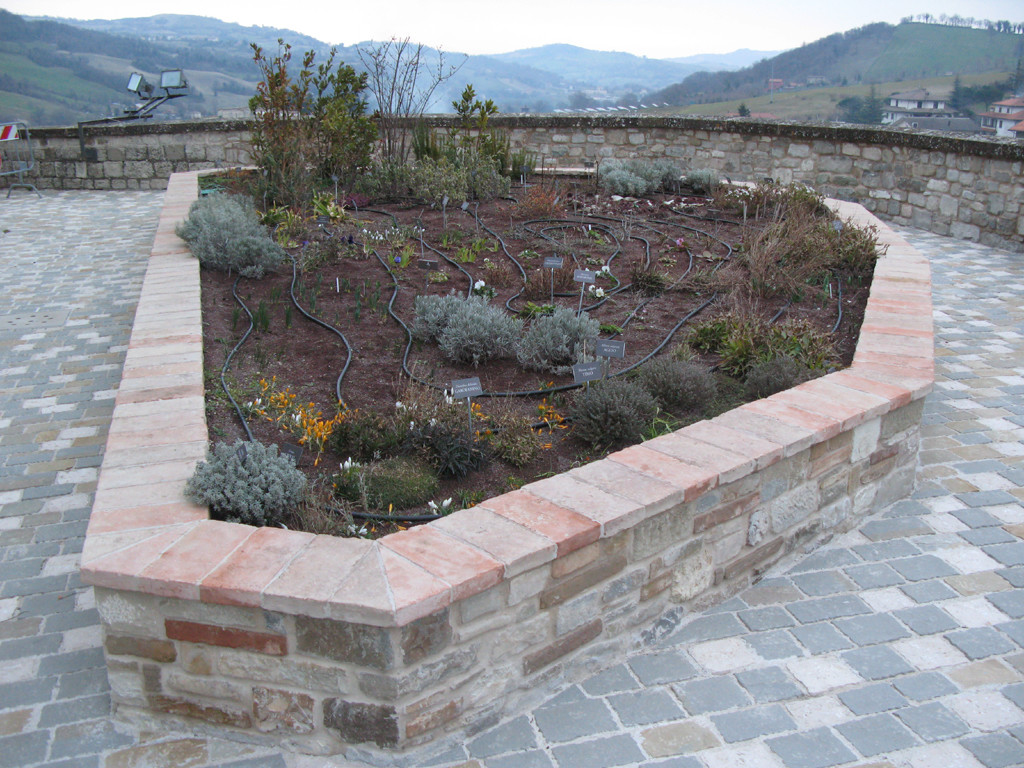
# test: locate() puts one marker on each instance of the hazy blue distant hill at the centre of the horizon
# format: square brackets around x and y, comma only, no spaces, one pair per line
[593,69]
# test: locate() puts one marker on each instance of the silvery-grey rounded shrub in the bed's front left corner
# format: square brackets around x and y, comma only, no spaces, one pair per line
[260,491]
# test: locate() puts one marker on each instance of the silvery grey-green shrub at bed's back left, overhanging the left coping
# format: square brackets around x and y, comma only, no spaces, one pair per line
[225,234]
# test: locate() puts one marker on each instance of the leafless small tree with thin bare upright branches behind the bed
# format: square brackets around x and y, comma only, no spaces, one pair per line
[403,83]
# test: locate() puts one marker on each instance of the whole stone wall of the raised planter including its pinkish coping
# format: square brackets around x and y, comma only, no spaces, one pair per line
[318,643]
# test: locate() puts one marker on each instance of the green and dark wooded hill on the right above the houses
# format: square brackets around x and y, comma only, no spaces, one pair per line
[876,54]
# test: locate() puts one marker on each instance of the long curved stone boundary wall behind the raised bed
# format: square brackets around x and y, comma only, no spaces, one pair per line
[972,189]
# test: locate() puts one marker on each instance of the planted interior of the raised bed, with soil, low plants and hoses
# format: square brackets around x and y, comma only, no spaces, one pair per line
[662,271]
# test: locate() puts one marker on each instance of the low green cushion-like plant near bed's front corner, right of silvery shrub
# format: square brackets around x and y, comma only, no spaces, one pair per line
[393,485]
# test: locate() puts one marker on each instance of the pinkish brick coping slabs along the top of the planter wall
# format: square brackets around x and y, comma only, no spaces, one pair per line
[145,537]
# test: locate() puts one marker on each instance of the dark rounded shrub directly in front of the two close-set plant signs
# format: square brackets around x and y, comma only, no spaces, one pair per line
[612,413]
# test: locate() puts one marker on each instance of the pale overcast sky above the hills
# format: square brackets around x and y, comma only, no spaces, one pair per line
[650,28]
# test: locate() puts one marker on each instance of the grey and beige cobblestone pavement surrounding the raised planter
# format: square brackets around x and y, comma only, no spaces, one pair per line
[899,645]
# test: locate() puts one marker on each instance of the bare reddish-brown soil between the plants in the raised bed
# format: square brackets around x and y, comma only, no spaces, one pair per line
[350,290]
